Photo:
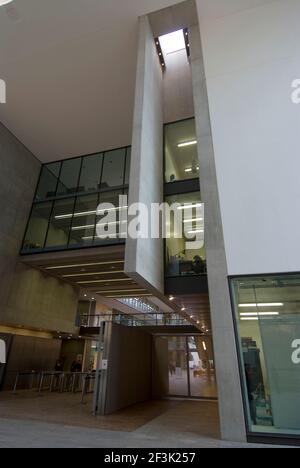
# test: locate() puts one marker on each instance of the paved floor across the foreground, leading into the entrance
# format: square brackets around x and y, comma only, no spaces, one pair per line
[28,419]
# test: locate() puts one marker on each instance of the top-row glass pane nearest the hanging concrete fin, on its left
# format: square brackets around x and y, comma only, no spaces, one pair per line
[113,169]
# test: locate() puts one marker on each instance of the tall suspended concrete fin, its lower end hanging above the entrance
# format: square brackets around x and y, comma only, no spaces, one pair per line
[144,260]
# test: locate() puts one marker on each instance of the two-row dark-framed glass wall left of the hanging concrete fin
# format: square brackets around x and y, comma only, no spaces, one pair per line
[68,193]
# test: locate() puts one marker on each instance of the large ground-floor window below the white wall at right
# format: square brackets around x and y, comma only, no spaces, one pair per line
[268,317]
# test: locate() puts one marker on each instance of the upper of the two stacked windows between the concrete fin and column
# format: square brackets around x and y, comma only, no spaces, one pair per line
[181,155]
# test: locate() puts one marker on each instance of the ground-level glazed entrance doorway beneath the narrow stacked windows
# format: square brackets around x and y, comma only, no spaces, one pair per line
[184,366]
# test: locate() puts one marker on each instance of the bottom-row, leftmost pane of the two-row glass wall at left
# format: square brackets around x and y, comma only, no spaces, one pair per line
[38,226]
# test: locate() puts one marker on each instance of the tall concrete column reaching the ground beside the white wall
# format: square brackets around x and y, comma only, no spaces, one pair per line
[229,387]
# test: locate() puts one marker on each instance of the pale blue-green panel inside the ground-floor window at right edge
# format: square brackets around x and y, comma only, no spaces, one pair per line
[281,344]
